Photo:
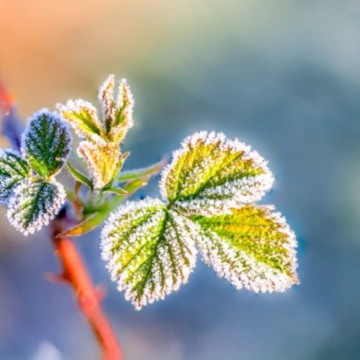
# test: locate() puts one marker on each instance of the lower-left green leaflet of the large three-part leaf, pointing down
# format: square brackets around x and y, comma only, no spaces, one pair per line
[149,250]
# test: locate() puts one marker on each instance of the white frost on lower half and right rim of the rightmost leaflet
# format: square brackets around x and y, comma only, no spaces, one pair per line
[241,268]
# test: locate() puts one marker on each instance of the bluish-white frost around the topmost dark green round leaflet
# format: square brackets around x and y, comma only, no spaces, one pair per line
[30,146]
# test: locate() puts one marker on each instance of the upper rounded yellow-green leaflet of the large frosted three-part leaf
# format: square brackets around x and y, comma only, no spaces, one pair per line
[211,174]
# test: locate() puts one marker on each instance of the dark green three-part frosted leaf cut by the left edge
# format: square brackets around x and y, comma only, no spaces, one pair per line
[27,184]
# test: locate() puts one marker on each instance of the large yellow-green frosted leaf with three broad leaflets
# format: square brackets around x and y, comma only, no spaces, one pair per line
[209,191]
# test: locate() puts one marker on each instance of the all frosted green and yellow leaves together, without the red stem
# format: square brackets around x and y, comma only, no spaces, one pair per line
[209,193]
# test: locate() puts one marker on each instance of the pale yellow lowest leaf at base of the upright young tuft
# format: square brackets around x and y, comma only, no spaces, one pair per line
[102,161]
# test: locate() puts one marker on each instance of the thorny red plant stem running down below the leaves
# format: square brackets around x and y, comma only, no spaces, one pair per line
[88,297]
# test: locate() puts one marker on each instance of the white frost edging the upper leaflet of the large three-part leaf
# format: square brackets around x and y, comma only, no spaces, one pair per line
[233,193]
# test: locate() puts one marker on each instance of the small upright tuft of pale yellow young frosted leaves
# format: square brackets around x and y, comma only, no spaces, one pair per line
[102,138]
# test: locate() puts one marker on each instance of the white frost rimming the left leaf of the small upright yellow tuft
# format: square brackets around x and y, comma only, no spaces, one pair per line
[78,107]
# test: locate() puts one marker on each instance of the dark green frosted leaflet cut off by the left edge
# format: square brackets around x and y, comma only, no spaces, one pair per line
[13,169]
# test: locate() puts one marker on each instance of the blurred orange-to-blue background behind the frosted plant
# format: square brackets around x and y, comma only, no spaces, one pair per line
[281,75]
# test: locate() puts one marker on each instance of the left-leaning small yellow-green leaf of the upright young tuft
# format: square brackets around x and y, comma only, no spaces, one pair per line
[82,116]
